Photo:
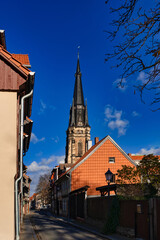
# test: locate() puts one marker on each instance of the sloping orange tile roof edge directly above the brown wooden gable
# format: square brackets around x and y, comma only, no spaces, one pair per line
[8,56]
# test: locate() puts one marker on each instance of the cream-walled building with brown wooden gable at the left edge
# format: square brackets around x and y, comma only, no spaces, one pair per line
[16,82]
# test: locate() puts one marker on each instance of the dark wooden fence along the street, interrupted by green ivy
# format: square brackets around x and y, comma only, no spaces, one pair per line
[139,218]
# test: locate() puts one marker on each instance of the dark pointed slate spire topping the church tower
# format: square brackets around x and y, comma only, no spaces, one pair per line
[78,91]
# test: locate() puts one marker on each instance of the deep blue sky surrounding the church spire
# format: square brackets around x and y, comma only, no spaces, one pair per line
[50,32]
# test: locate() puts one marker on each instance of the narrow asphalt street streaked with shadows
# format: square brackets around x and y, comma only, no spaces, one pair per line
[48,227]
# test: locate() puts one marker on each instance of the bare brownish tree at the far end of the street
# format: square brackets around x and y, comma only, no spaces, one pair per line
[44,189]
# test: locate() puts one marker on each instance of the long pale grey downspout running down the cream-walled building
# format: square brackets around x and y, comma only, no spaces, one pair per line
[21,163]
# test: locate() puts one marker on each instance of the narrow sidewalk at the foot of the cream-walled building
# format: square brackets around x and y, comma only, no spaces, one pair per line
[27,231]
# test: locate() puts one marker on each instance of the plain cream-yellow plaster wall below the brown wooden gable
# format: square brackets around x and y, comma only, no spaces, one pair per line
[8,151]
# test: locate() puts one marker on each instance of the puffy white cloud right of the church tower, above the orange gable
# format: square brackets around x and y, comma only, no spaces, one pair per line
[115,121]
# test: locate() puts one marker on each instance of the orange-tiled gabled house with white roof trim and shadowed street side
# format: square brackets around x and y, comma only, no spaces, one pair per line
[74,186]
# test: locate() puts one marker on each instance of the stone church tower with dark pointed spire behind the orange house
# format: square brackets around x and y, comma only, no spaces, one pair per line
[78,132]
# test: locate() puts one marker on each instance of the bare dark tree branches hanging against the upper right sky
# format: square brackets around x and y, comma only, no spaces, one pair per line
[139,50]
